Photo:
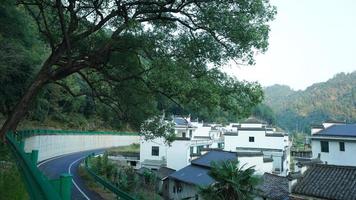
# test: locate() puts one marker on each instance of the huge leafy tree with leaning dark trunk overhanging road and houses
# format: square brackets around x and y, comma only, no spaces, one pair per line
[115,64]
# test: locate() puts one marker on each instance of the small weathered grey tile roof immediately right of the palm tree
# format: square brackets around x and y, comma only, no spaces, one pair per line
[273,187]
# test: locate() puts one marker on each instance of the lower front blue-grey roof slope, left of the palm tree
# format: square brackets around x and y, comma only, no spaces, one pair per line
[195,175]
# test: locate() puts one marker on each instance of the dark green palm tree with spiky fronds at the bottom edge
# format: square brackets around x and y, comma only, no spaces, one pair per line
[232,182]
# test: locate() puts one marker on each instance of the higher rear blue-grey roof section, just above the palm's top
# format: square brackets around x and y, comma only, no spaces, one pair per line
[216,156]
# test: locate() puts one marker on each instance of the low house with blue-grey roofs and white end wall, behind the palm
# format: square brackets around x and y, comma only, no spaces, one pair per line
[185,183]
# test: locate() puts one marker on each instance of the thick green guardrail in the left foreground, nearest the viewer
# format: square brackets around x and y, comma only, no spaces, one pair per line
[37,184]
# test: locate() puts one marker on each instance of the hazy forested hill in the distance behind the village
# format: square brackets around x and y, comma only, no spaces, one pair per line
[296,110]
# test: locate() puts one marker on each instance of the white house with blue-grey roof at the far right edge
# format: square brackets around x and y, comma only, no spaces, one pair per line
[335,143]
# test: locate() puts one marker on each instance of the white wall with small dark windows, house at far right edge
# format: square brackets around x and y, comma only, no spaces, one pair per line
[335,156]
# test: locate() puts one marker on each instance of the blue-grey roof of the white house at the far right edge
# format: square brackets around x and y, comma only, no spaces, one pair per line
[343,130]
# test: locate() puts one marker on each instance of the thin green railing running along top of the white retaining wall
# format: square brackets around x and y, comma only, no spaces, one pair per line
[29,133]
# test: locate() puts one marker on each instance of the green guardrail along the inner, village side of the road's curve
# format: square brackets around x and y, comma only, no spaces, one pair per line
[119,193]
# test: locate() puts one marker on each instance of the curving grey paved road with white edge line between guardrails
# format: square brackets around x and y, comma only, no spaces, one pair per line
[54,167]
